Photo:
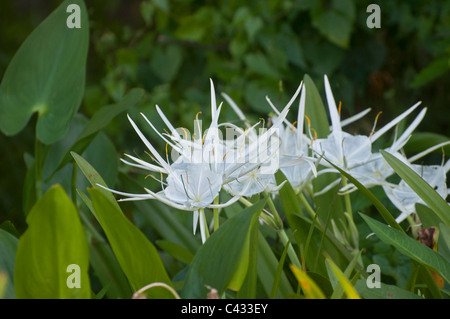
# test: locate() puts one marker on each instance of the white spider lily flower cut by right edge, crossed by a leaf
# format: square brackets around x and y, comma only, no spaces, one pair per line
[405,199]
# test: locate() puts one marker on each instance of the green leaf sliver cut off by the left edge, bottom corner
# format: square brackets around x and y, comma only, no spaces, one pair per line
[8,247]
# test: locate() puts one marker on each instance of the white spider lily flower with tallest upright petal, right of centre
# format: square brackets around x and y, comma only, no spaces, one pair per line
[346,150]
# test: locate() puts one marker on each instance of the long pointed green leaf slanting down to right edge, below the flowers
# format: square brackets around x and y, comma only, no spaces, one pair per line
[410,247]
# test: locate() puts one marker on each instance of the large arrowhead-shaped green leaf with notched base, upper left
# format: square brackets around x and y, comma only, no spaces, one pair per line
[47,76]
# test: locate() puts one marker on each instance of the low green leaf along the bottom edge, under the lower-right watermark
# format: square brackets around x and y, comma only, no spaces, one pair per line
[384,292]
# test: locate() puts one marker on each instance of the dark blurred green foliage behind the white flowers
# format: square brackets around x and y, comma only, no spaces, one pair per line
[250,49]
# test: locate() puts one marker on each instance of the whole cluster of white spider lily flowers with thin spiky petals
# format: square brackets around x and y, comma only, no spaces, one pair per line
[244,163]
